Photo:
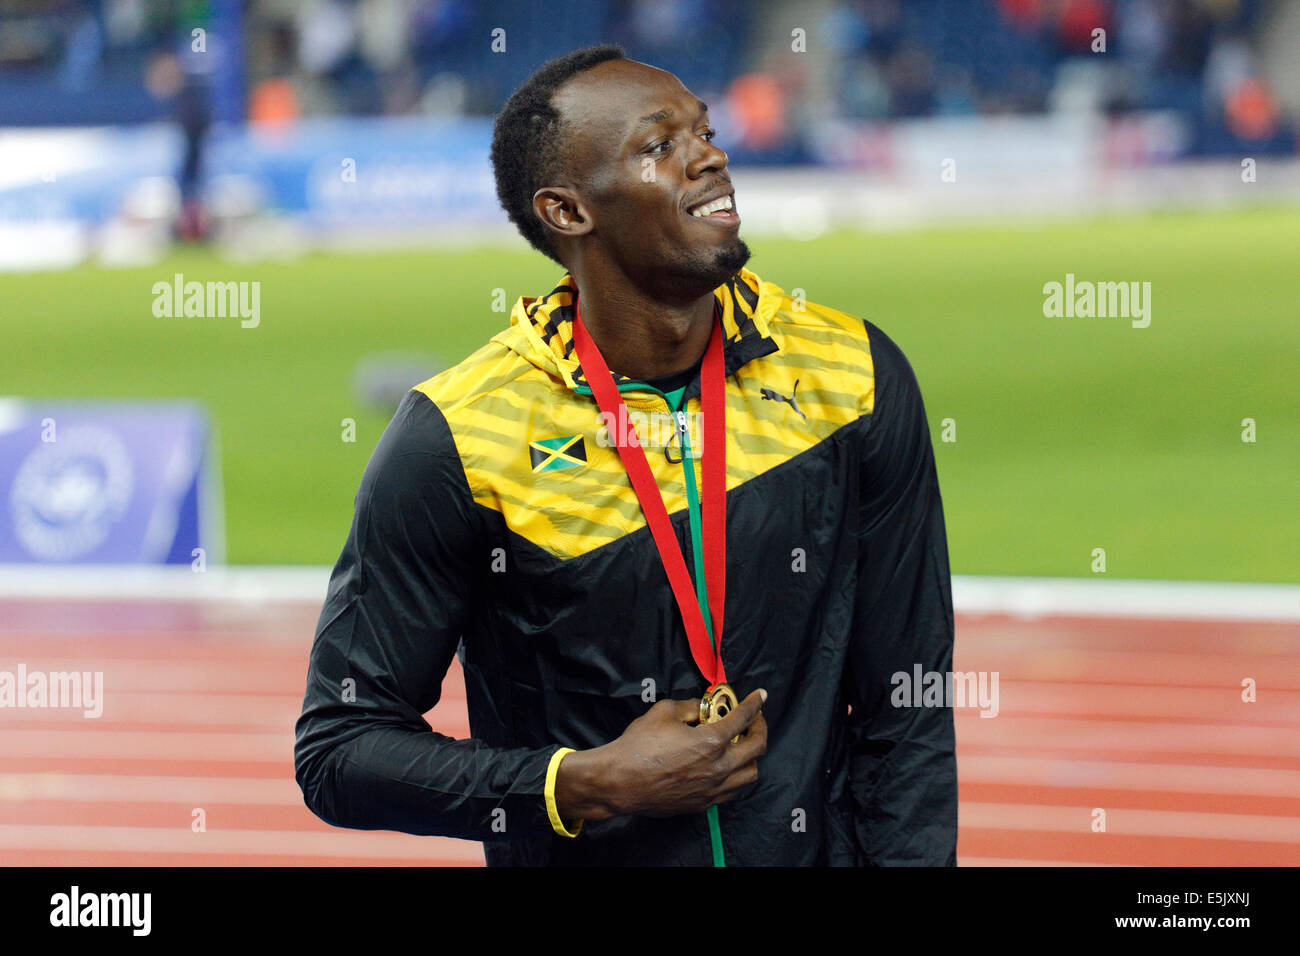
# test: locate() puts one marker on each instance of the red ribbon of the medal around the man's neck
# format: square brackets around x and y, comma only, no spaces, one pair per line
[714,494]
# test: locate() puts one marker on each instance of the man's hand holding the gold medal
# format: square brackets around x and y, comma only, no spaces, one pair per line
[666,763]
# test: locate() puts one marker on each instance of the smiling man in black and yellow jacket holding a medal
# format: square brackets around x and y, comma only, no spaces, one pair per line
[608,591]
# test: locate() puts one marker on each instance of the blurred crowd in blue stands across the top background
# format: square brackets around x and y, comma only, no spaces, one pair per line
[870,60]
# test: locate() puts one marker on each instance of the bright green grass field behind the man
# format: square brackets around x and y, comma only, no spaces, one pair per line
[1072,434]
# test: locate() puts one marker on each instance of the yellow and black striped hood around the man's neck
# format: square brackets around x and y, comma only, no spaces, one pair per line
[541,328]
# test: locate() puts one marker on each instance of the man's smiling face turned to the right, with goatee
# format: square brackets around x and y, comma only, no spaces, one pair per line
[643,163]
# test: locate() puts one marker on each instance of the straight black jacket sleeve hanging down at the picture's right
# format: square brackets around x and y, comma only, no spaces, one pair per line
[903,767]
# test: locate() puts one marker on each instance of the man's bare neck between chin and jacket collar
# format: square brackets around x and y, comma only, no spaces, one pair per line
[643,338]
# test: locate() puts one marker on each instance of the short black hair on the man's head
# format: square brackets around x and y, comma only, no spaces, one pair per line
[530,136]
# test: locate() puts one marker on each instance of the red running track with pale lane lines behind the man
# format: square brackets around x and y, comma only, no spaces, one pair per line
[1141,720]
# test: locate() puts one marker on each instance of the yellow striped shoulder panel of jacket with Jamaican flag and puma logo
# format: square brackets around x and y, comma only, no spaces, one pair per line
[540,455]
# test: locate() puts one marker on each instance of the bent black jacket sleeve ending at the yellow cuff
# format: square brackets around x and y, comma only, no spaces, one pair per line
[365,755]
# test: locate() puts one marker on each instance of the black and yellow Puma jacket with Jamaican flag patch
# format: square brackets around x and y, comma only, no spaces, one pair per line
[496,517]
